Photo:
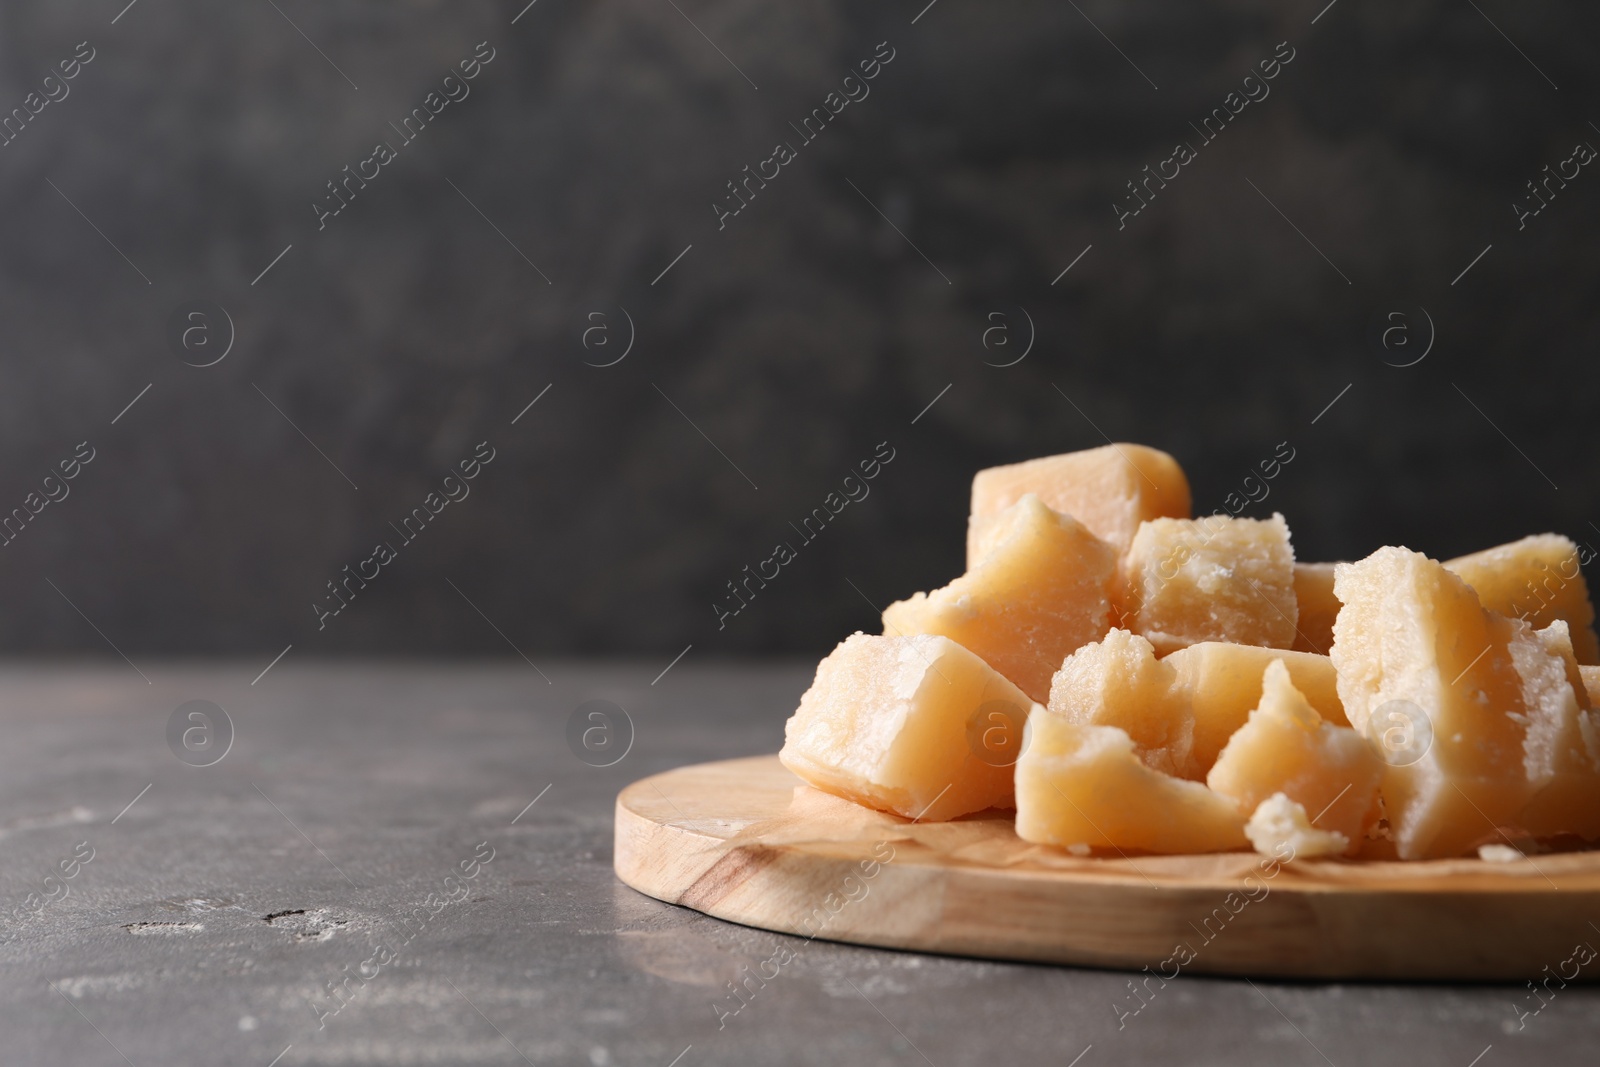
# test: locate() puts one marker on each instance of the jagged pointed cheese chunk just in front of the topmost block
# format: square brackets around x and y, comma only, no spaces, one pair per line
[1041,593]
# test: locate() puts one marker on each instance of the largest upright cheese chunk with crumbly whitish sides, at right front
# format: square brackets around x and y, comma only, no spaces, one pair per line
[1412,642]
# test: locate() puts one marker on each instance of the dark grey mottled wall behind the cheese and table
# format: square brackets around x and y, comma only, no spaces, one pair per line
[798,338]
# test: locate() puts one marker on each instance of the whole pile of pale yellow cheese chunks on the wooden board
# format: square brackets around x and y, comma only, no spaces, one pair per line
[1191,703]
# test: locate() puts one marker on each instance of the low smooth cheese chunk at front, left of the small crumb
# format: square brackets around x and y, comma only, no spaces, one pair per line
[1079,785]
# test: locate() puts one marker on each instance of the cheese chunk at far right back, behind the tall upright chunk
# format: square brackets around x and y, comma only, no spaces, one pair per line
[1537,580]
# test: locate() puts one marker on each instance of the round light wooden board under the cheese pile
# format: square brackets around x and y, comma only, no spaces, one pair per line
[748,842]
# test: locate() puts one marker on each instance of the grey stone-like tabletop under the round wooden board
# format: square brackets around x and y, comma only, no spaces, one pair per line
[276,905]
